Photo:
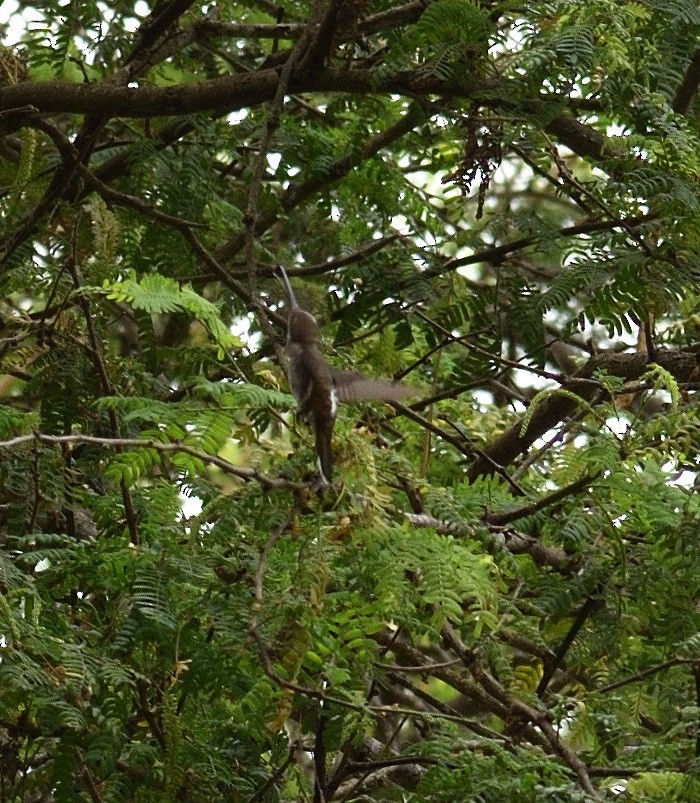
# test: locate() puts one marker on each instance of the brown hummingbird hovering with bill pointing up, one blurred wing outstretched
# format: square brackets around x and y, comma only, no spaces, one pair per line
[318,388]
